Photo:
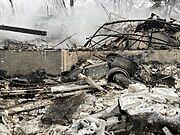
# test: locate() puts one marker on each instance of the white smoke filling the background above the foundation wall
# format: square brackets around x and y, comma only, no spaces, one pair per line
[60,22]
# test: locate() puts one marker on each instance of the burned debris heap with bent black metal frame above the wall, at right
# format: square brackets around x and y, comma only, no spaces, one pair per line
[155,33]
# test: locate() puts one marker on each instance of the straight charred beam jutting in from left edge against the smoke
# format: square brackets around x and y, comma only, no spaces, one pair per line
[23,30]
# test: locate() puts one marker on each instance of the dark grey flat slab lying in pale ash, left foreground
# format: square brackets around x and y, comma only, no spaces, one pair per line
[61,111]
